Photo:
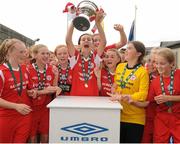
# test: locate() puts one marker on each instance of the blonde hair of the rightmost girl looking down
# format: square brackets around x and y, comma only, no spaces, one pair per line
[168,54]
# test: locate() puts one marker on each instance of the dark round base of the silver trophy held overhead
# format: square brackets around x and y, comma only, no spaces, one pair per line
[81,23]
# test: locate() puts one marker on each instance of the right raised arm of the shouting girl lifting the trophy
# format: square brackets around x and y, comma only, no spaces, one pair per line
[101,47]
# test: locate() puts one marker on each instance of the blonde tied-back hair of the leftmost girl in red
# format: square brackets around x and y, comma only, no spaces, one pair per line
[7,45]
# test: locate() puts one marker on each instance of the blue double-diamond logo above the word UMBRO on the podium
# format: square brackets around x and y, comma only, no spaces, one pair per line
[84,129]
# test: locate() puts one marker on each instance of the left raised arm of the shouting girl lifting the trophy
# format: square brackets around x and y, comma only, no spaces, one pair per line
[69,43]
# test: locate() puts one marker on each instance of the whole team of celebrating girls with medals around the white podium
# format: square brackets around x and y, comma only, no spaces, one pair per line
[93,70]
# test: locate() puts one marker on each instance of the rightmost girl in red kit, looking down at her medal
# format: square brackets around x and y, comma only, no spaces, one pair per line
[165,91]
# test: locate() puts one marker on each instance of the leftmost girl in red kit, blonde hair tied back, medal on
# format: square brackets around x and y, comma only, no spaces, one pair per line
[15,105]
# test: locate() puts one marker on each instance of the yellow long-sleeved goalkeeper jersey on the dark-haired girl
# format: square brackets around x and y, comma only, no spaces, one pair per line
[135,83]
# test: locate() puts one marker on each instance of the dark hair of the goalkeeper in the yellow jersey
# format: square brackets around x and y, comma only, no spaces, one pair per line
[140,47]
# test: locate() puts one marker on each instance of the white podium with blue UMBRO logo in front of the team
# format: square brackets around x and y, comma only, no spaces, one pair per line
[84,120]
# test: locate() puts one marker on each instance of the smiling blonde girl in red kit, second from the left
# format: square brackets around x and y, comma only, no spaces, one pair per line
[44,80]
